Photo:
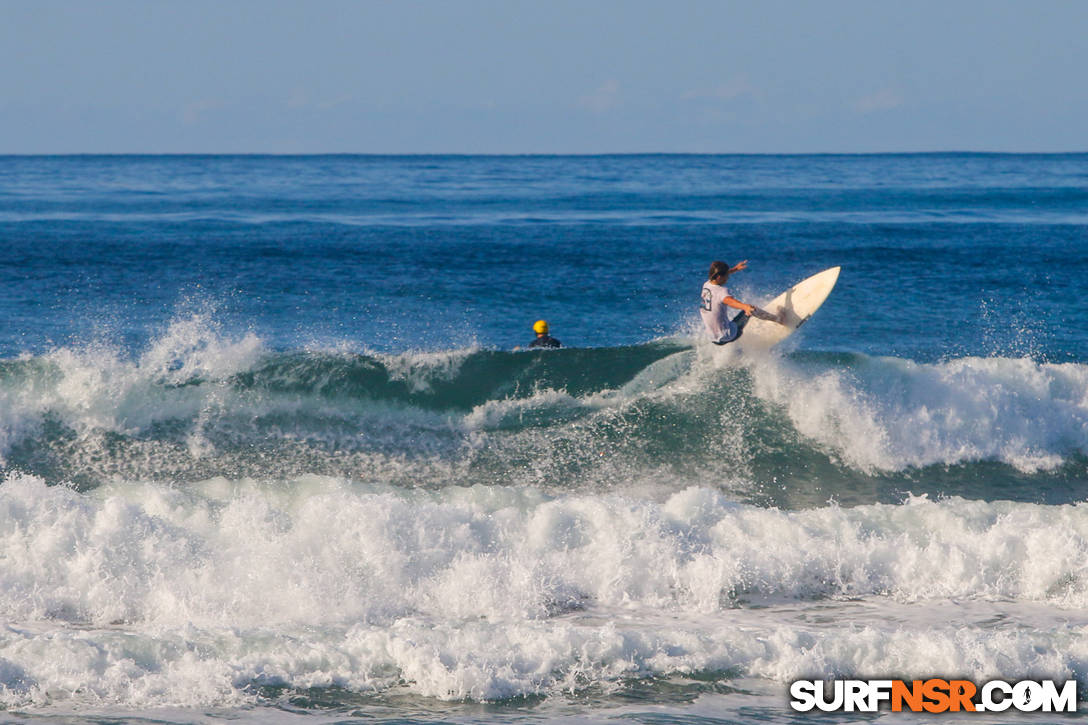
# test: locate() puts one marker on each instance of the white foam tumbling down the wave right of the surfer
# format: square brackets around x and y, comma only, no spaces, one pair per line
[887,414]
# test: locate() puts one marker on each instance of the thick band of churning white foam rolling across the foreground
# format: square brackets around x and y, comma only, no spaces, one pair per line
[144,595]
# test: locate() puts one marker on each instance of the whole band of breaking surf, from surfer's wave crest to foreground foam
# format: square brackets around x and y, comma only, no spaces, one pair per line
[460,536]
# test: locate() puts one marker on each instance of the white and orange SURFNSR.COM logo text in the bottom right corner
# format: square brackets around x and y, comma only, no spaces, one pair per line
[933,696]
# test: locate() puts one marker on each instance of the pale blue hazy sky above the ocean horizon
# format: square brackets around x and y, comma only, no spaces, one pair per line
[549,77]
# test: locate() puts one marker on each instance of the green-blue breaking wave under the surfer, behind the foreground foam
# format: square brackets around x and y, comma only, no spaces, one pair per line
[793,432]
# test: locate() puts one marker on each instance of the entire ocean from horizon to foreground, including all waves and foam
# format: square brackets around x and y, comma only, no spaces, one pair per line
[270,453]
